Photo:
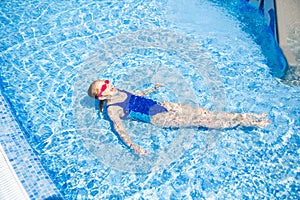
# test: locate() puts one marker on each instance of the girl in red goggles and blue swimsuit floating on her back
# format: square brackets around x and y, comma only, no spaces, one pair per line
[122,104]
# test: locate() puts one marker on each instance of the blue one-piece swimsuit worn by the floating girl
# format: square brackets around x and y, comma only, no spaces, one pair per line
[139,108]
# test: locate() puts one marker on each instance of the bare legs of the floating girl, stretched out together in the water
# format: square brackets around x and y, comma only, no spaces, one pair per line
[182,115]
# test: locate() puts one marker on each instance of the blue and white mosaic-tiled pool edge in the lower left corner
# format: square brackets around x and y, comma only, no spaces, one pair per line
[25,164]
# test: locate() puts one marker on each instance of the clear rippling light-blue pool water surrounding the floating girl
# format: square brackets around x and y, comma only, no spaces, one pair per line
[206,53]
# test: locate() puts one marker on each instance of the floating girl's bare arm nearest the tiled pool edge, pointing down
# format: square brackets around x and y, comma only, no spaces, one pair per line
[114,115]
